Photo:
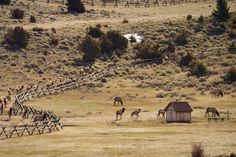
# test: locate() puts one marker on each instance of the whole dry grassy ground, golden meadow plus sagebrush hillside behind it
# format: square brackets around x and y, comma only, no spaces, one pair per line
[88,113]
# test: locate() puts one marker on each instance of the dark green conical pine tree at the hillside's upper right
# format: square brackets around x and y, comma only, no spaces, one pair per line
[221,12]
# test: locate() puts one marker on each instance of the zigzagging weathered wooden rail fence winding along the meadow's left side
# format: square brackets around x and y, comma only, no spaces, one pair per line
[52,123]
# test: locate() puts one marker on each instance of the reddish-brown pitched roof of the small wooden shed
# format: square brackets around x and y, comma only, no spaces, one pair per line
[180,106]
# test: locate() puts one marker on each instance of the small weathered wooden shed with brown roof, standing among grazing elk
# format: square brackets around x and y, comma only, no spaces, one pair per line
[178,112]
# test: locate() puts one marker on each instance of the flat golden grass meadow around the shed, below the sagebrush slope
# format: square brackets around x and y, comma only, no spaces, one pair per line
[91,130]
